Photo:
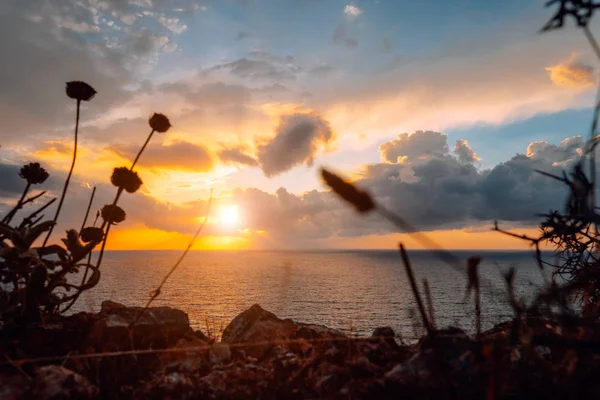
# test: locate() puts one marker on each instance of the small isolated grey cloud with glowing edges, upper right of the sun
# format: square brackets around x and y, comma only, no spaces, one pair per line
[298,139]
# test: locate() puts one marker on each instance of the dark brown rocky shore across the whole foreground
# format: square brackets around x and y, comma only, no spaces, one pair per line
[88,356]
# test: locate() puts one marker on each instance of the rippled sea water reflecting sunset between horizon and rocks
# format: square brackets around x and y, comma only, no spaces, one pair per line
[355,291]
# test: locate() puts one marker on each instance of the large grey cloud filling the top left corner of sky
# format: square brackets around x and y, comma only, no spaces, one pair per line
[109,44]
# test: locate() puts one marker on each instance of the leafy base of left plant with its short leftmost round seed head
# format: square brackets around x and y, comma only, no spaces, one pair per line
[34,286]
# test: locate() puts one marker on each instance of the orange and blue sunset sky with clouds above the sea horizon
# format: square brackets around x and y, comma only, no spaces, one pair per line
[441,109]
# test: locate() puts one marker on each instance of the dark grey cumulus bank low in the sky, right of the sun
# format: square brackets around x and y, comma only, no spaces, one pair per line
[443,192]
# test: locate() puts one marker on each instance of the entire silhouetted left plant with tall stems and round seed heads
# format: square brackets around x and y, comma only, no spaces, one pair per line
[35,279]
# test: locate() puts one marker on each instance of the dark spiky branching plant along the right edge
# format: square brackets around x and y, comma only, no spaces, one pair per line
[573,233]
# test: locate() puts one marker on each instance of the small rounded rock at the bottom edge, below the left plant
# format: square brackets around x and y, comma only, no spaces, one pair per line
[56,382]
